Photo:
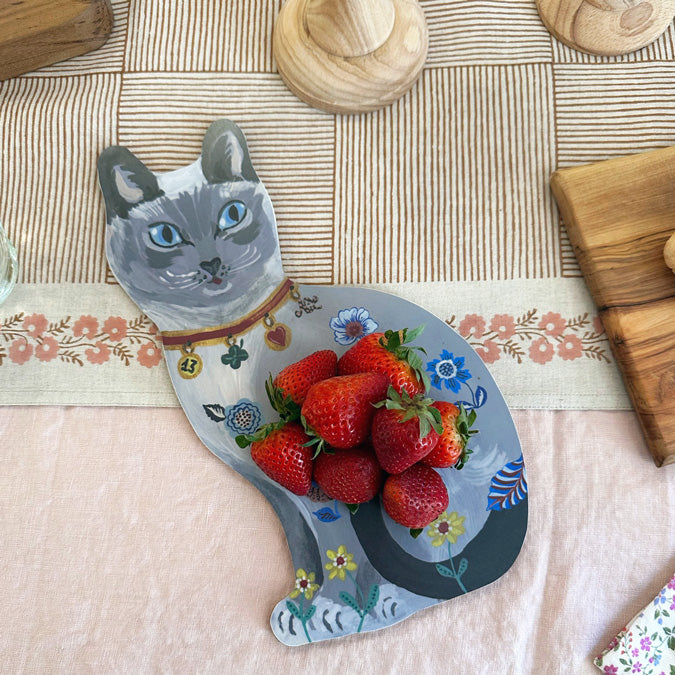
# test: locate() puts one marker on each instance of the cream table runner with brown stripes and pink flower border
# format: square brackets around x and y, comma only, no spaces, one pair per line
[442,197]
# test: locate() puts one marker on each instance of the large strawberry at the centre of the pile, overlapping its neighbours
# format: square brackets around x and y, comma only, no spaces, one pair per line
[339,411]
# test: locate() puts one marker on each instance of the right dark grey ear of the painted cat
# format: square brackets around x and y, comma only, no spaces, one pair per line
[225,155]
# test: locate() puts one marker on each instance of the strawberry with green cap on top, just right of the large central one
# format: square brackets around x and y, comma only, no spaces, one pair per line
[404,430]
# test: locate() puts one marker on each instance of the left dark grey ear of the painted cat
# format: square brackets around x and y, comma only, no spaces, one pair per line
[125,181]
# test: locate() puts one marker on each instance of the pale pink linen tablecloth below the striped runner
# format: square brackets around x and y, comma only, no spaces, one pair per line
[125,546]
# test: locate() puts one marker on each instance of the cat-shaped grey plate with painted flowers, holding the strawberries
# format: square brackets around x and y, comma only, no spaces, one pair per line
[197,250]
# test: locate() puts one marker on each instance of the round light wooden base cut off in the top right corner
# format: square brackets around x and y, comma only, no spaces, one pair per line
[606,27]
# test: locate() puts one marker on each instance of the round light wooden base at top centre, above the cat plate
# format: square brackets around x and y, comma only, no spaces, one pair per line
[350,56]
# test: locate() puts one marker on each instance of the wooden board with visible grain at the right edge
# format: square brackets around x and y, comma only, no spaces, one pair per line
[619,214]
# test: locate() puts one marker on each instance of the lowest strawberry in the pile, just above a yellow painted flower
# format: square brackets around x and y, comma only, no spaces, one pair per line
[415,497]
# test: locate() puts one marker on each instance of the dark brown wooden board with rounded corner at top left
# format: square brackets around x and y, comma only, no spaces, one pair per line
[35,33]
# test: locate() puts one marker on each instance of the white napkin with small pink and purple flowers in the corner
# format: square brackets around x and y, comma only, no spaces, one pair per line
[647,644]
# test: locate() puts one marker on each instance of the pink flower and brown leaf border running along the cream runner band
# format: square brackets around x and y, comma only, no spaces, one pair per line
[536,337]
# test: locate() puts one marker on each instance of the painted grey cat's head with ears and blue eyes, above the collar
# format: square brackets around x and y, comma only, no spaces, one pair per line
[197,238]
